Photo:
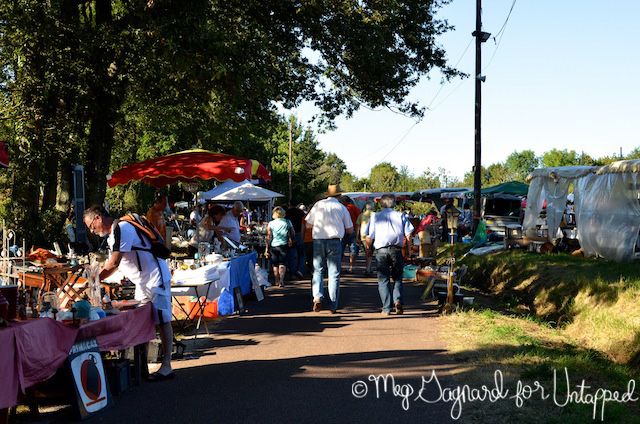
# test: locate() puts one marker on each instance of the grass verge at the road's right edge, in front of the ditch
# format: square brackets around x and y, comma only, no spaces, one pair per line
[528,351]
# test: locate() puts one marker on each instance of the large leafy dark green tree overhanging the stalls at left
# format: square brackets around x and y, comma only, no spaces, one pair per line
[104,82]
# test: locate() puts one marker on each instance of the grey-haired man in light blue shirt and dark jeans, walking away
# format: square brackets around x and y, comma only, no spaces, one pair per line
[387,232]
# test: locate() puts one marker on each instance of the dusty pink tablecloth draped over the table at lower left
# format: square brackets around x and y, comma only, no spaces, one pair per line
[32,351]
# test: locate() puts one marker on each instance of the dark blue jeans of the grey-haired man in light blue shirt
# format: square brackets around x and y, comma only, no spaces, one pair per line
[389,265]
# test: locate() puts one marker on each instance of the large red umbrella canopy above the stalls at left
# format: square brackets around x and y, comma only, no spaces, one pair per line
[187,166]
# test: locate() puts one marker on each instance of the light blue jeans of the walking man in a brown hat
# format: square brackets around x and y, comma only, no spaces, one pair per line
[326,255]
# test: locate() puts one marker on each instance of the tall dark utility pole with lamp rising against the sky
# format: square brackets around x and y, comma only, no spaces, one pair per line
[481,37]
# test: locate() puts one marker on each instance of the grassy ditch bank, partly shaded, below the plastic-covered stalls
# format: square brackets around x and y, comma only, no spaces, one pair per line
[595,302]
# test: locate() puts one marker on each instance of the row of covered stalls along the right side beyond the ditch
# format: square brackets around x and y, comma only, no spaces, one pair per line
[597,208]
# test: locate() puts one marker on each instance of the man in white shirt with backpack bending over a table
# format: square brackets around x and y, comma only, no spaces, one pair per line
[130,254]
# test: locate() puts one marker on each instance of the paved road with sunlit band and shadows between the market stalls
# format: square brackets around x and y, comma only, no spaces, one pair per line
[281,362]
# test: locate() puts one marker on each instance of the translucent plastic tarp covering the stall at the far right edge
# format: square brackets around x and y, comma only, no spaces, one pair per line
[608,214]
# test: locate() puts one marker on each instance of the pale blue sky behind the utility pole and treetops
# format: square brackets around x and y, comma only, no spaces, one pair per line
[565,75]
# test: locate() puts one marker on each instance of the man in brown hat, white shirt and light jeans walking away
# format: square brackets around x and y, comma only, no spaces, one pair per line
[329,221]
